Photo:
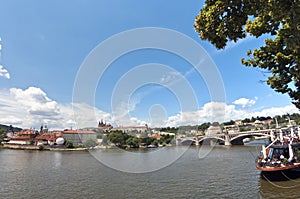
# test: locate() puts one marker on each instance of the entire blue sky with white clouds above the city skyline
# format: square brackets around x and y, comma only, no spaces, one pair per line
[69,64]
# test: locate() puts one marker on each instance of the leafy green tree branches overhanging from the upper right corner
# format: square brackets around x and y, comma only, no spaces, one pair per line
[228,20]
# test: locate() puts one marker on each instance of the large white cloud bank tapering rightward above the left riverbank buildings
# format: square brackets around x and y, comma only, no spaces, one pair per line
[31,108]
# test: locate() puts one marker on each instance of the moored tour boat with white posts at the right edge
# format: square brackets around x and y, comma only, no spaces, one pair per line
[282,154]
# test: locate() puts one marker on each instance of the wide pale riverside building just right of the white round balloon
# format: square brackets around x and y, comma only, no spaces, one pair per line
[79,137]
